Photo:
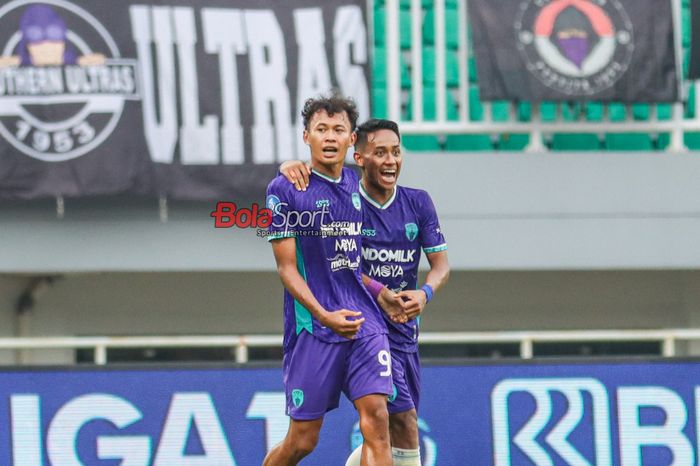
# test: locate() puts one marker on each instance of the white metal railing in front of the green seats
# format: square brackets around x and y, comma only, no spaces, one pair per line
[536,128]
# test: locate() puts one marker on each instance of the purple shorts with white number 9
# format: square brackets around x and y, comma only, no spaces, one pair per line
[315,372]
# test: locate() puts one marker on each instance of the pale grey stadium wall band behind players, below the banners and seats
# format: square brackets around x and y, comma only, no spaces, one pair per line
[500,211]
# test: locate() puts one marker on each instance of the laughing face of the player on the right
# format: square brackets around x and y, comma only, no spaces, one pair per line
[381,160]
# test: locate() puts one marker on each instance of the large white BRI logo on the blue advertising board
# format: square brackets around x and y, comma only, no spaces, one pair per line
[554,421]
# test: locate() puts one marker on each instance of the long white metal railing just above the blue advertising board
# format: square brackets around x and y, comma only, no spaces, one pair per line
[667,338]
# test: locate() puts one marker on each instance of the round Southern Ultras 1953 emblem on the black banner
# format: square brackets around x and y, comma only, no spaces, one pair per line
[63,82]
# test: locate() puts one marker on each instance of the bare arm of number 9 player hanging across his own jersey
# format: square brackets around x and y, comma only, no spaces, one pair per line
[339,321]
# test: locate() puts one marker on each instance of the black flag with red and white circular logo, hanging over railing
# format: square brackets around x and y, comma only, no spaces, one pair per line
[574,50]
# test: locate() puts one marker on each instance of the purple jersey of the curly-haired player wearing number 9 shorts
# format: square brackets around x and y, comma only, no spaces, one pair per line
[326,222]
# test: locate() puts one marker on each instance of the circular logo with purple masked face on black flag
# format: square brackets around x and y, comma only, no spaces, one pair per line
[577,47]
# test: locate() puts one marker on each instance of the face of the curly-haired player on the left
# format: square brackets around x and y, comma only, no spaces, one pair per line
[329,138]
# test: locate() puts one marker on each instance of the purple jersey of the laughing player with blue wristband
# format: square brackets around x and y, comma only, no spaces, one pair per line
[393,235]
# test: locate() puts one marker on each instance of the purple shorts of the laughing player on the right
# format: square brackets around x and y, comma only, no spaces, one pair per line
[405,369]
